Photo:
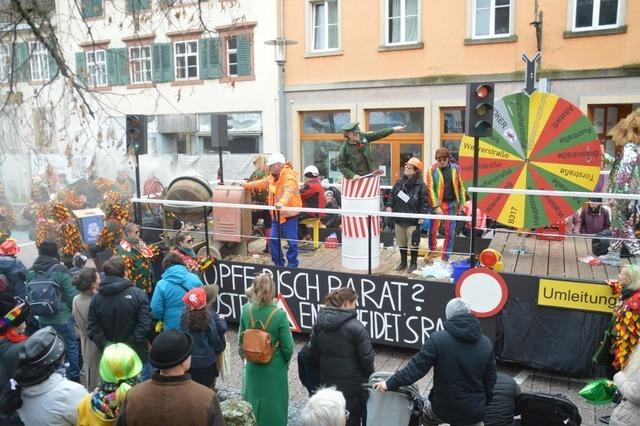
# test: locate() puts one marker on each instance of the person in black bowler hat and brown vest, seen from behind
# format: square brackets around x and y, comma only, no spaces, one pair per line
[183,401]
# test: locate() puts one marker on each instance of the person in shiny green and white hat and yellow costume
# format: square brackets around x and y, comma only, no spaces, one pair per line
[120,369]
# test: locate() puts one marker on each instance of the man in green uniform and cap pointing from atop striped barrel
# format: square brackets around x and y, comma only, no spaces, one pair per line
[354,159]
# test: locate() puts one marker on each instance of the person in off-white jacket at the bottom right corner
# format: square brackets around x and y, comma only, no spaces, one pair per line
[627,381]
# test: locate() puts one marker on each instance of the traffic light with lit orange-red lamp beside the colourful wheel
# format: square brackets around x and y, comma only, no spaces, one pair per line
[479,110]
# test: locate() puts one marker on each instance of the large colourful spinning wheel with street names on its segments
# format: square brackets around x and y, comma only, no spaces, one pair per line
[538,142]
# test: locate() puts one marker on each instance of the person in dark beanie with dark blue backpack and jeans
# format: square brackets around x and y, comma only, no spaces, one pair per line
[50,294]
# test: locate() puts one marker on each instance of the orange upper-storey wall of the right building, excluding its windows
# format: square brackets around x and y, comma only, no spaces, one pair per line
[444,29]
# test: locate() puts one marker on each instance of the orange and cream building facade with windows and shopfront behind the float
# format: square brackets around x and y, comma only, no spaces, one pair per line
[392,62]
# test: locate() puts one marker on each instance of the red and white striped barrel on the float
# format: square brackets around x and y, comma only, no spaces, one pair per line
[362,195]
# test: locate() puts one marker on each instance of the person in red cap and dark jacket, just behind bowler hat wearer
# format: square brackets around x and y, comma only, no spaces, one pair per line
[207,330]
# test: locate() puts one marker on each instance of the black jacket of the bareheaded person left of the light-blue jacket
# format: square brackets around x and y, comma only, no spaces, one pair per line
[119,313]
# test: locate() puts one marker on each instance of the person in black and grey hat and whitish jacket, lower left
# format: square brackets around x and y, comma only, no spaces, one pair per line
[43,396]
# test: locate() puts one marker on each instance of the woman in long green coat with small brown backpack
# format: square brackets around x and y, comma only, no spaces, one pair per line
[266,344]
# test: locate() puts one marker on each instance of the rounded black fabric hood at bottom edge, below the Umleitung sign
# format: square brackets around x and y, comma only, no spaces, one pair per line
[538,409]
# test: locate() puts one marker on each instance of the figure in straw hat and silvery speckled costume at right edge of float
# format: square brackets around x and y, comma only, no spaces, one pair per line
[624,179]
